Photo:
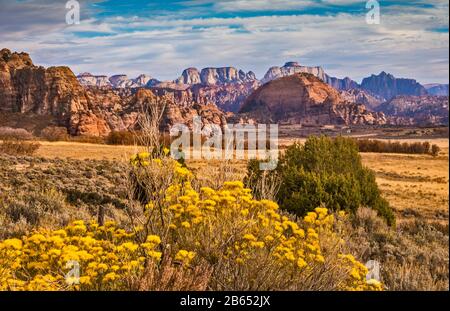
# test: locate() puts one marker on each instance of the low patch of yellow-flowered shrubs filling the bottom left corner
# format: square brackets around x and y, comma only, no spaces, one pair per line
[107,257]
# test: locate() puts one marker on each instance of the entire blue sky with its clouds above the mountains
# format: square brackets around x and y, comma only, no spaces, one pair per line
[162,37]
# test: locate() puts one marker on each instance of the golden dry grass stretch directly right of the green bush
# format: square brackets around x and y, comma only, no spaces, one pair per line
[414,185]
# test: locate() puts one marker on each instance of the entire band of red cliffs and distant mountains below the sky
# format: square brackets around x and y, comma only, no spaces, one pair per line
[294,94]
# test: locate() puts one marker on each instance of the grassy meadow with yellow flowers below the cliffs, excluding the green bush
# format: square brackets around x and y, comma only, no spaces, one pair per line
[41,195]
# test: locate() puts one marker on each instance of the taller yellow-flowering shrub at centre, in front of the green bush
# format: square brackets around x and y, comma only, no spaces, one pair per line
[253,246]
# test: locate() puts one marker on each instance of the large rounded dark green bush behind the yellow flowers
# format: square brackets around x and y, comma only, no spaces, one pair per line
[325,171]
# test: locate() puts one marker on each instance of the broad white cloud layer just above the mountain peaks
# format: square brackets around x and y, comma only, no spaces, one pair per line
[162,47]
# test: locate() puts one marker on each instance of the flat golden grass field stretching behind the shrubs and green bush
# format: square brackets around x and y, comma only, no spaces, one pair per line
[415,185]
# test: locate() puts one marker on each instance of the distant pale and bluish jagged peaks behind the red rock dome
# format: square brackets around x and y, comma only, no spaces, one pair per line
[227,87]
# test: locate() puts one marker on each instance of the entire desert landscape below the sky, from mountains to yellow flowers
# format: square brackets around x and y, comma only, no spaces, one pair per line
[373,170]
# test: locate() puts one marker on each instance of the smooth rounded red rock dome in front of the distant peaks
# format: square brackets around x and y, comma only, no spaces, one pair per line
[305,99]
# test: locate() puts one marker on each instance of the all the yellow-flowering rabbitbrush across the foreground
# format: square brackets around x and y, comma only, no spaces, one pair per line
[242,243]
